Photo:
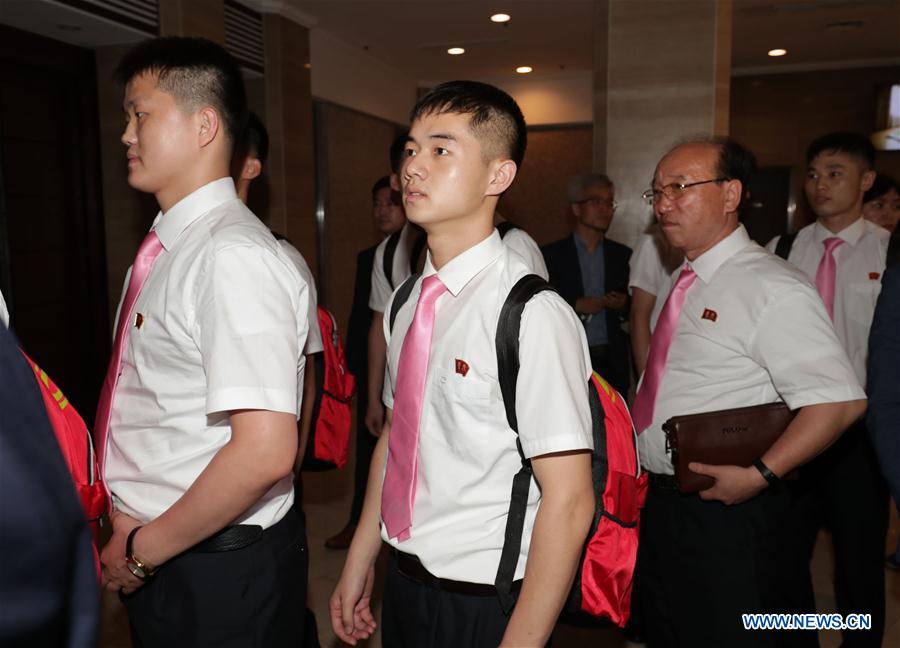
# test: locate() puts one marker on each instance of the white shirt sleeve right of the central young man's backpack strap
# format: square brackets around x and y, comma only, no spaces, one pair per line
[552,406]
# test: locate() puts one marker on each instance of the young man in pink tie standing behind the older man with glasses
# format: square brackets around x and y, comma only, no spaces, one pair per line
[844,255]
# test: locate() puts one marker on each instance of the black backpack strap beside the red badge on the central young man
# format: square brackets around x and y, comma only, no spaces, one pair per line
[507,343]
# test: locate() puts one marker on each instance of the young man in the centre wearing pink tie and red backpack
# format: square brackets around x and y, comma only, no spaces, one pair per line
[443,469]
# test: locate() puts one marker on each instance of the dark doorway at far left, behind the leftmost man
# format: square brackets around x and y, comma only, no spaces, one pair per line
[54,263]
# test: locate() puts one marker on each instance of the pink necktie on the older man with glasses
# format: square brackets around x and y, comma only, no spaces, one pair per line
[645,400]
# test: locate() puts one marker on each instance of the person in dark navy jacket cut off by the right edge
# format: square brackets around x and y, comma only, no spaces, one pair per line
[883,417]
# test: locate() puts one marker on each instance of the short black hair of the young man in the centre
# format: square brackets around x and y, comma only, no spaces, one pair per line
[496,118]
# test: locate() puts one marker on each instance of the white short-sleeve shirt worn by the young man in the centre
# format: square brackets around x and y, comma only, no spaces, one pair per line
[467,451]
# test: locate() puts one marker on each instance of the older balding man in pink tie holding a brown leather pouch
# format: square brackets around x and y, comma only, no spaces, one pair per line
[737,328]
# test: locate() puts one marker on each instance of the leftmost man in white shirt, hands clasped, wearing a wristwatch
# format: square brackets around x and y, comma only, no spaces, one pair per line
[196,427]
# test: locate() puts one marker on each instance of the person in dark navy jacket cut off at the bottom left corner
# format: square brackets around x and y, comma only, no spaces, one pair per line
[48,583]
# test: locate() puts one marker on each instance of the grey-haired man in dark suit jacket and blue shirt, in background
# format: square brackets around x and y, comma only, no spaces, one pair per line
[591,273]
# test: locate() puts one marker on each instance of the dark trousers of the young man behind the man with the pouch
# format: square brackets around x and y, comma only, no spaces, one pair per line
[844,491]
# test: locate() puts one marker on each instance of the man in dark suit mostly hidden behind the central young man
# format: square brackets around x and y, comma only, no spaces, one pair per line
[388,216]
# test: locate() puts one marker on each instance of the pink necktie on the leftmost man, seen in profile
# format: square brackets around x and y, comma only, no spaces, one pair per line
[147,253]
